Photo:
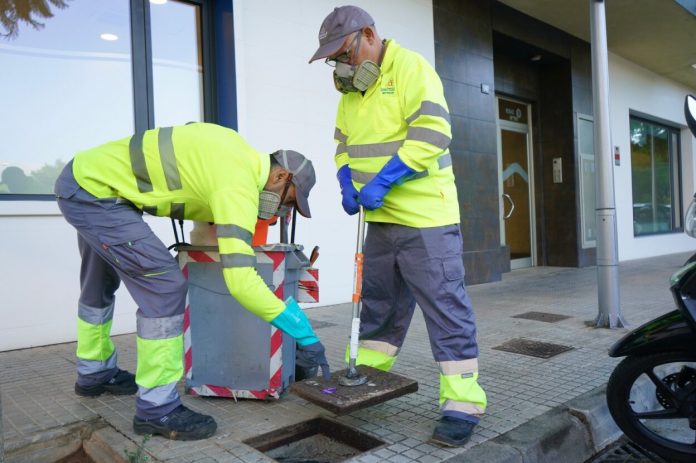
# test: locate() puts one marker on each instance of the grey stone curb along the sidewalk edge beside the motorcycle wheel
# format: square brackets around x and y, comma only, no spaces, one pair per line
[572,433]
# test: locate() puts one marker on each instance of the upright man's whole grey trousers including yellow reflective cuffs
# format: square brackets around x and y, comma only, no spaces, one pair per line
[405,265]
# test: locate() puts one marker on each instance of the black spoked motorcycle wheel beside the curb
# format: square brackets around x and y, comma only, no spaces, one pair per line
[652,398]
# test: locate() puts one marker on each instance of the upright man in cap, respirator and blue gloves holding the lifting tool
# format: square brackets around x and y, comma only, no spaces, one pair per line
[393,133]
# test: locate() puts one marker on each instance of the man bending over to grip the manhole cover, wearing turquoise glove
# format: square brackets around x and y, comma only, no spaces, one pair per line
[201,172]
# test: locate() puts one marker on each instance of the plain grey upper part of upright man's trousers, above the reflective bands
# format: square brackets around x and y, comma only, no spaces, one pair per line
[405,265]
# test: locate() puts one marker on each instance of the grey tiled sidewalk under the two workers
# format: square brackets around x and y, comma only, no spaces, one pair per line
[538,408]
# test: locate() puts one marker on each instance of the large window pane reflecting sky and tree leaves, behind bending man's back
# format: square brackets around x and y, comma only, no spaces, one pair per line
[66,85]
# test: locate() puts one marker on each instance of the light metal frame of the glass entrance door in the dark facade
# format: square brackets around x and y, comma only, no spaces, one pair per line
[526,129]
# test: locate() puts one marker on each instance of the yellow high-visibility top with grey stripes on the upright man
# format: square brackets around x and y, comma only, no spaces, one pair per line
[403,112]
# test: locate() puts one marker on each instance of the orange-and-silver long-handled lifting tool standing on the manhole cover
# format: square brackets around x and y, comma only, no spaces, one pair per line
[352,377]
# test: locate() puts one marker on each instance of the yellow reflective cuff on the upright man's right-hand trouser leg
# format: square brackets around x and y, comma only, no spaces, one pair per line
[460,393]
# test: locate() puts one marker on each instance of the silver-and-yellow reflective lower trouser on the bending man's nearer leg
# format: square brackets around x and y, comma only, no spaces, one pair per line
[160,364]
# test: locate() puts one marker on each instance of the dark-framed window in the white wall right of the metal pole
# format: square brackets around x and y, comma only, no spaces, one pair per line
[656,179]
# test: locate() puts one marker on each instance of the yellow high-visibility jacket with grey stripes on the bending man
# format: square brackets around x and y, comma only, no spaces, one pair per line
[201,172]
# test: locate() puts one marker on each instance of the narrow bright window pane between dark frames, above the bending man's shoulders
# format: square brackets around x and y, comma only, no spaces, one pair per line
[177,65]
